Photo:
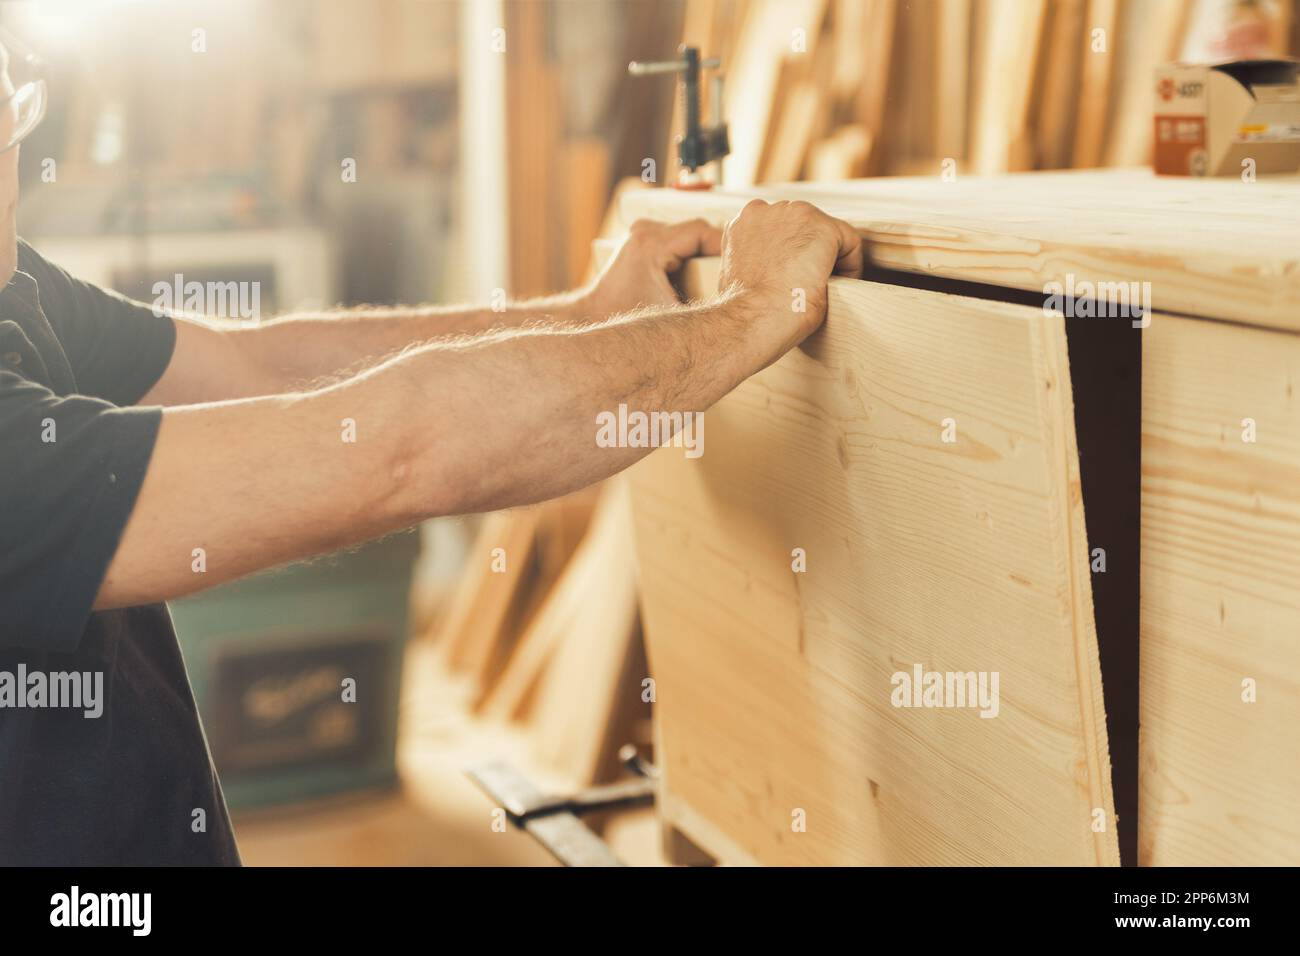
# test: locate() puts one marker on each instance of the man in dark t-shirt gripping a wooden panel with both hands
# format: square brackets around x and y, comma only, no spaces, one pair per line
[131,439]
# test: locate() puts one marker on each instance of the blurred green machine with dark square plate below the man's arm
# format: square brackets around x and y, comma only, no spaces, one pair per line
[297,673]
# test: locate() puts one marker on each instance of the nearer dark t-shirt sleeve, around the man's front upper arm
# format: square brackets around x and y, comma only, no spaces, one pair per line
[70,478]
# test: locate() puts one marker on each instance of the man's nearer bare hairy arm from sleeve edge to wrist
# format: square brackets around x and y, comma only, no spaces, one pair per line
[448,429]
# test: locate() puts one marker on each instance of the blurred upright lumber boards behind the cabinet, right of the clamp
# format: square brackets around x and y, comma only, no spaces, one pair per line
[842,89]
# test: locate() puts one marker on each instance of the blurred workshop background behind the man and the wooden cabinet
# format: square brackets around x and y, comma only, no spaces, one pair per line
[402,152]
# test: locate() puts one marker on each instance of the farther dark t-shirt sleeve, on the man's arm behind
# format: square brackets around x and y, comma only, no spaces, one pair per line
[118,348]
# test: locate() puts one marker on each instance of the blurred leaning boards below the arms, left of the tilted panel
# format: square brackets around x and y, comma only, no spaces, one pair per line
[544,631]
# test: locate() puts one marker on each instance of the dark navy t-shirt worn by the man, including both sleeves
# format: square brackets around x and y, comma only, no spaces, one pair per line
[135,785]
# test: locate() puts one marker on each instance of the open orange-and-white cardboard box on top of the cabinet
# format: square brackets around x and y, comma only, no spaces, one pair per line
[1211,119]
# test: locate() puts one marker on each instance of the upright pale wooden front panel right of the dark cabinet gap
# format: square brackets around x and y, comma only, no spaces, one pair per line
[1221,596]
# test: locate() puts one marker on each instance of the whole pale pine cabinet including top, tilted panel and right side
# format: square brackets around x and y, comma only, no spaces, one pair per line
[774,684]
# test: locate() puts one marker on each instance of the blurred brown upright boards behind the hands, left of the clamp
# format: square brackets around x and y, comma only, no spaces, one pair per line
[575,126]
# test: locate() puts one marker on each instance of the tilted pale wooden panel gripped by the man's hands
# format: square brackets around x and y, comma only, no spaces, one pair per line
[774,687]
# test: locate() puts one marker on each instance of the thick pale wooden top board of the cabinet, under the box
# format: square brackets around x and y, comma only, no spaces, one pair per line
[1221,249]
